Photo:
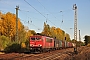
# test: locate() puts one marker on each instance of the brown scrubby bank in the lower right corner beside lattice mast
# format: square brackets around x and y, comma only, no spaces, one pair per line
[83,54]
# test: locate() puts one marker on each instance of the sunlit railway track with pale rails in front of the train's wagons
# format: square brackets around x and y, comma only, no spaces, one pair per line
[55,55]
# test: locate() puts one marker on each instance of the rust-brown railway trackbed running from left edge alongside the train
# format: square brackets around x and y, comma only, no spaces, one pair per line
[53,55]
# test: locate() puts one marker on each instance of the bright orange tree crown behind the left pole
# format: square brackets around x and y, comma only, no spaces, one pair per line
[9,25]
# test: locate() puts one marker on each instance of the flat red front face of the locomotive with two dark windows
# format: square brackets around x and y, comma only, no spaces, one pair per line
[35,43]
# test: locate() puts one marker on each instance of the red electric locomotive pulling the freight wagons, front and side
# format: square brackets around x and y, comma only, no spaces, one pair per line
[41,43]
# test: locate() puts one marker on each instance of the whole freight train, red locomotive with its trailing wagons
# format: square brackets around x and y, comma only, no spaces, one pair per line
[44,43]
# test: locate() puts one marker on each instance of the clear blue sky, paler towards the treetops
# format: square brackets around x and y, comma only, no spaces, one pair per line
[57,13]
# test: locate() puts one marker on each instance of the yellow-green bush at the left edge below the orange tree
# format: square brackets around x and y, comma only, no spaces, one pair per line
[4,41]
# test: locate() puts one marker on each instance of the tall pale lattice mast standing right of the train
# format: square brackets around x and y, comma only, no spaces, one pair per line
[75,27]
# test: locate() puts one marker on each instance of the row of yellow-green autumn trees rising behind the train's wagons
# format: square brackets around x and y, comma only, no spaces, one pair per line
[55,32]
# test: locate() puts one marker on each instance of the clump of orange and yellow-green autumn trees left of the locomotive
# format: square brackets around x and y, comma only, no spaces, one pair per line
[8,28]
